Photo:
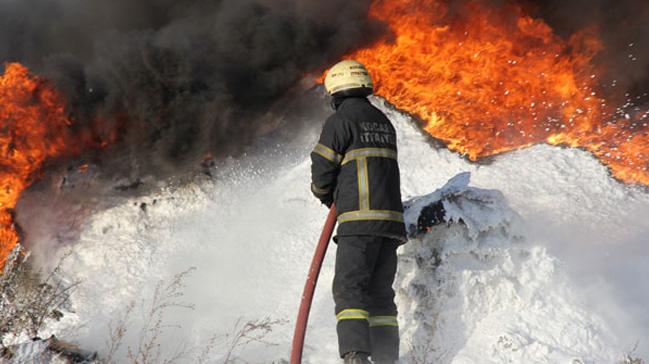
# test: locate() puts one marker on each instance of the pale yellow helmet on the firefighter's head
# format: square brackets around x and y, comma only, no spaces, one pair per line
[349,78]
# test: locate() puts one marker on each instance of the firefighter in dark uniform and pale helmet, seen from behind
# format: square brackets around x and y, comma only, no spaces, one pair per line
[355,165]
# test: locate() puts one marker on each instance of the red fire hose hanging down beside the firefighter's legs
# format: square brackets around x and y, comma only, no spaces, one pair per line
[309,287]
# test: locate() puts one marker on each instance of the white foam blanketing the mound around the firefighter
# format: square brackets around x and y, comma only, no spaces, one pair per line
[252,232]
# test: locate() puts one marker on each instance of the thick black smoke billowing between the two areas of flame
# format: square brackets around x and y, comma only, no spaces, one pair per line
[178,78]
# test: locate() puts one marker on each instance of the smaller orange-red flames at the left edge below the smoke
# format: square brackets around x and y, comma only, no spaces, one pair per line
[33,129]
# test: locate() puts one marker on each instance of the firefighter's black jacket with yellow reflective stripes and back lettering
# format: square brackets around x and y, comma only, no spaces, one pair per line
[355,165]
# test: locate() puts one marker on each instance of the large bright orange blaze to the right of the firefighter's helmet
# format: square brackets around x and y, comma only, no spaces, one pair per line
[495,80]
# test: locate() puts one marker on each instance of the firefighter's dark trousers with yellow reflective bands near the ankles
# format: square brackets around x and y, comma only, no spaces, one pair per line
[362,290]
